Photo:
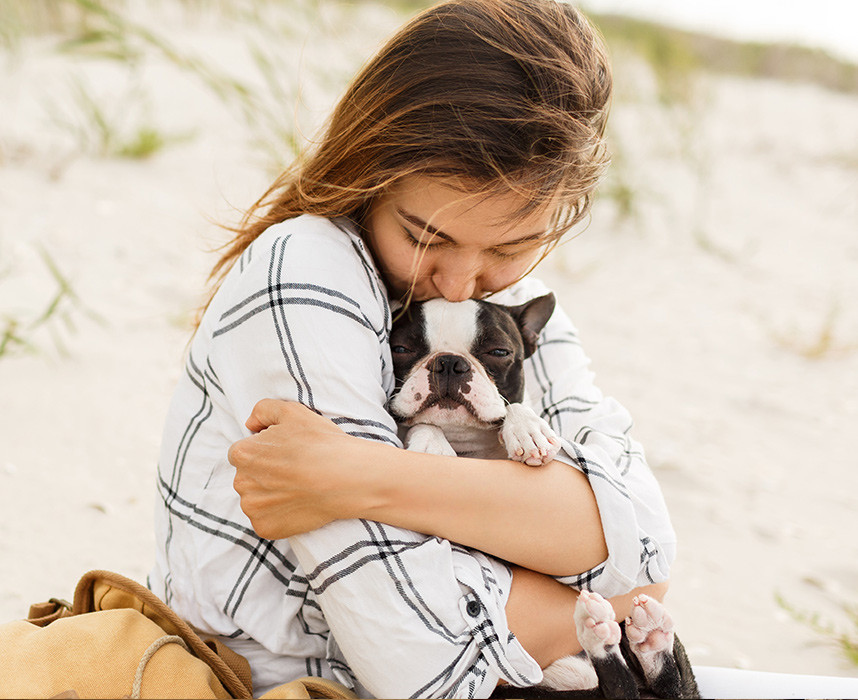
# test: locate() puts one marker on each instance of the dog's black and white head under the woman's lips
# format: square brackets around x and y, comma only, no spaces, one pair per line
[462,363]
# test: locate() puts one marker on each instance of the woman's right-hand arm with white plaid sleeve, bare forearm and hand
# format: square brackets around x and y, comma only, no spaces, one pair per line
[555,520]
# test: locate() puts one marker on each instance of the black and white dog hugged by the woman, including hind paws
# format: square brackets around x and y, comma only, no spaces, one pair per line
[460,391]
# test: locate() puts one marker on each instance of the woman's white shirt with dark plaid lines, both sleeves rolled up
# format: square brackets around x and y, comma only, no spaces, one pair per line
[303,315]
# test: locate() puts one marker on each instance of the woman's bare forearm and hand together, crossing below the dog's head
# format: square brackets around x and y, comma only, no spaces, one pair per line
[300,471]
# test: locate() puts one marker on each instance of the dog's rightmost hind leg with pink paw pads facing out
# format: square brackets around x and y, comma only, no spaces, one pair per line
[649,630]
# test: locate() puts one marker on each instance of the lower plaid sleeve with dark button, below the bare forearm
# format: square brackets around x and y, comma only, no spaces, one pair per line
[413,615]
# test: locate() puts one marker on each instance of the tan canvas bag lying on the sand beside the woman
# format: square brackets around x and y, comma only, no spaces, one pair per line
[118,639]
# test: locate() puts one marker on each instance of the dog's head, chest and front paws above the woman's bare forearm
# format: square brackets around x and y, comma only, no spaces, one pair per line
[459,371]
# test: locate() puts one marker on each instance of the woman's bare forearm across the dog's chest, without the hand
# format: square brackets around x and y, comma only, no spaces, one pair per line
[541,518]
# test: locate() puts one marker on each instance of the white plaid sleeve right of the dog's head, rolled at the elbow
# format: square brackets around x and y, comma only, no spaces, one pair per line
[595,434]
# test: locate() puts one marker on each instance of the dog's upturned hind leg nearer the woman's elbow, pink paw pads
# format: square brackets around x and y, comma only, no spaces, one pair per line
[599,634]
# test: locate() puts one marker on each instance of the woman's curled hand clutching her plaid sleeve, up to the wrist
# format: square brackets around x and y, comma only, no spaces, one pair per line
[292,474]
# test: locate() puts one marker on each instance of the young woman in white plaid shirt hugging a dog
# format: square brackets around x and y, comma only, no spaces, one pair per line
[297,529]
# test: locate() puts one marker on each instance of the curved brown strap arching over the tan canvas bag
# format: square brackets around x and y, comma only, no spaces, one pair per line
[231,669]
